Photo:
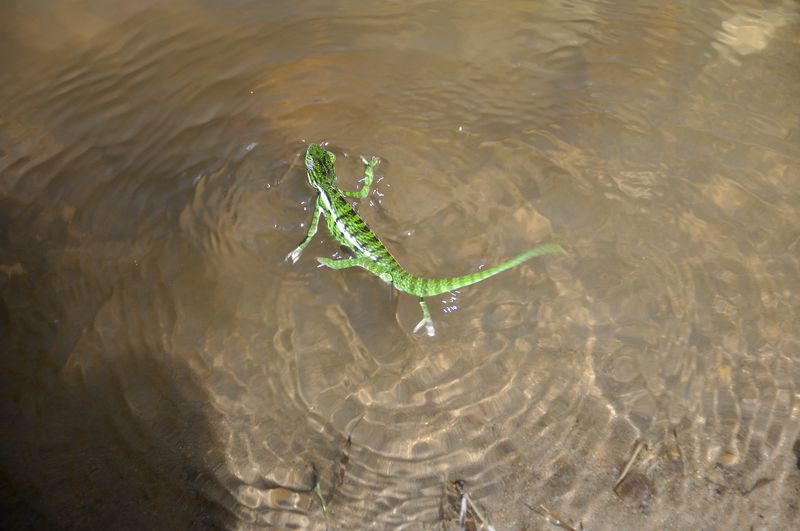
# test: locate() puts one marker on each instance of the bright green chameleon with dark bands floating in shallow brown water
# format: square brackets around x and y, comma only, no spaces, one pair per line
[350,230]
